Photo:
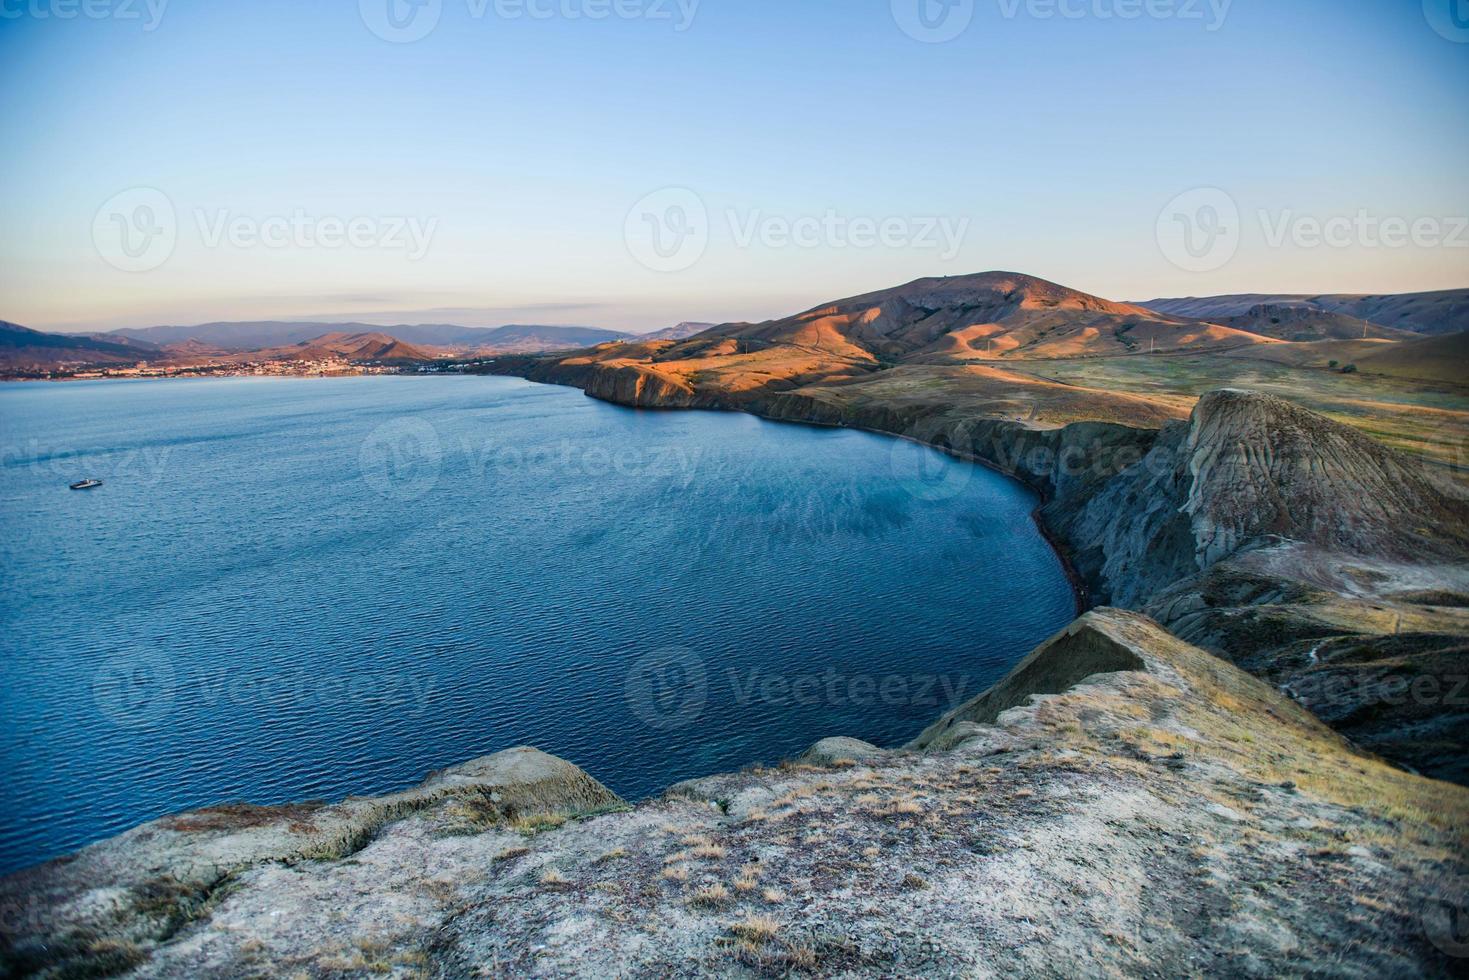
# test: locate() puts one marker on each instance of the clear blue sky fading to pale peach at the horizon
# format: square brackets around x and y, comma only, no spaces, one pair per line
[634,164]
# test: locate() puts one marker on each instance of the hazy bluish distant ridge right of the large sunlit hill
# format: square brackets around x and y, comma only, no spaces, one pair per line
[1442,312]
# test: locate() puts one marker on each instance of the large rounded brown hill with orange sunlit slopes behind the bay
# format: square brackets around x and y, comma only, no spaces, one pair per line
[986,317]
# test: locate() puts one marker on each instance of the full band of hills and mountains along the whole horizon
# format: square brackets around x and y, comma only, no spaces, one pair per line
[939,321]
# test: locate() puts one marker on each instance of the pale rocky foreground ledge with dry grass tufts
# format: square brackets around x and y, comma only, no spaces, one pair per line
[1123,803]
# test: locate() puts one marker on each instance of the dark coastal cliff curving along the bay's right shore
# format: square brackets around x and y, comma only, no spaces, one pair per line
[1288,543]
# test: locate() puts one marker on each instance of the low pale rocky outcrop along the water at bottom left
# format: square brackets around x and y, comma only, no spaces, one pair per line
[109,904]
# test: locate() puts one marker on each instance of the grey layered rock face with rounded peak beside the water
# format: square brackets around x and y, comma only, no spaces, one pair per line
[1251,468]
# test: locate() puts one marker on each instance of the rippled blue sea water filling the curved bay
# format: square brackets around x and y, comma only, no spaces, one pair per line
[308,588]
